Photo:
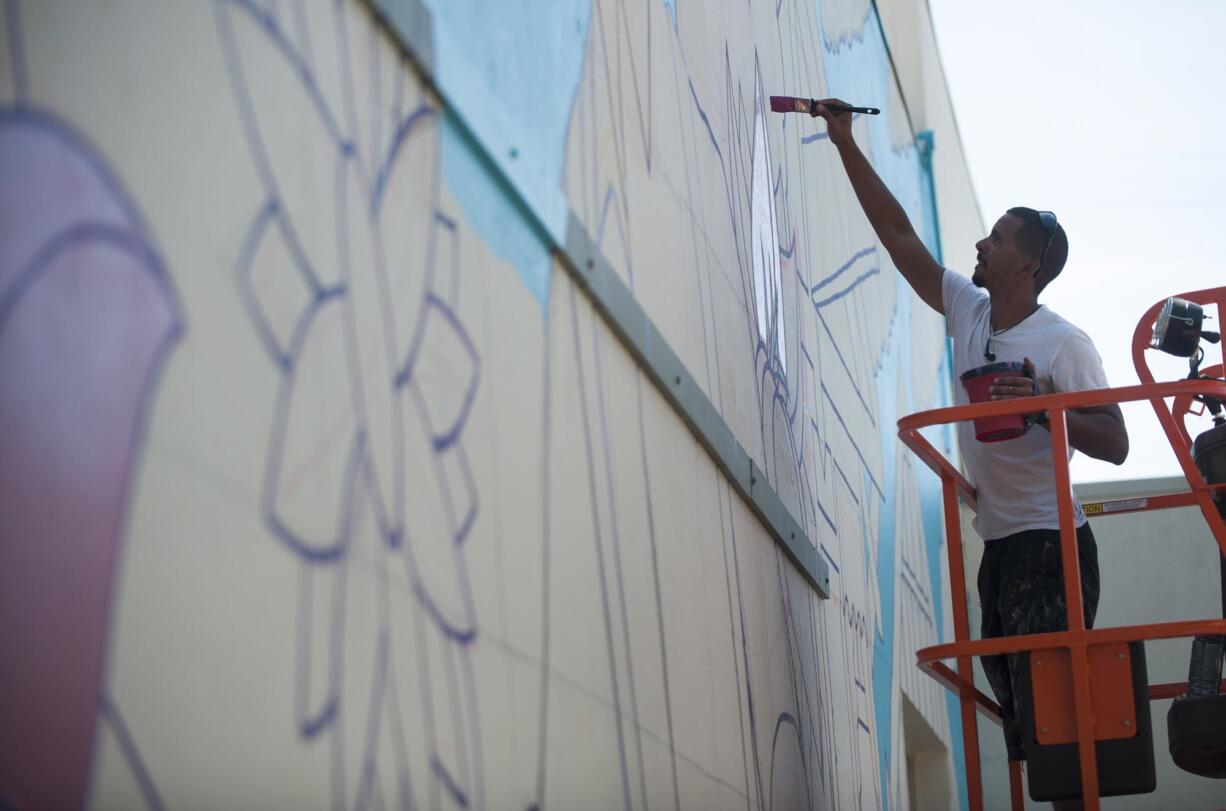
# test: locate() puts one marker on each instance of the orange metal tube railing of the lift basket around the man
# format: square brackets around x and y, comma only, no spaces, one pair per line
[1078,639]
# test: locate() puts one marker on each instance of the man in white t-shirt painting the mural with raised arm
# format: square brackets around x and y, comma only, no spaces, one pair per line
[1021,581]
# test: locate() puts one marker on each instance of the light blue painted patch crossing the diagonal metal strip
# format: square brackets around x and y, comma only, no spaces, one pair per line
[511,72]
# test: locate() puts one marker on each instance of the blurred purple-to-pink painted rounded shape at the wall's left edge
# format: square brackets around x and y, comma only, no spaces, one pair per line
[80,344]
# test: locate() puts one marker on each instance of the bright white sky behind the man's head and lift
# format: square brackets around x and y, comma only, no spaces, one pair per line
[1114,116]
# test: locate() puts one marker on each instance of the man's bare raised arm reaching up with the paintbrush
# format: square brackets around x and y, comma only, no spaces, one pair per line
[885,214]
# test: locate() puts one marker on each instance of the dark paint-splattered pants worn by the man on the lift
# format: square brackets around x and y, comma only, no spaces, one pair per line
[1022,591]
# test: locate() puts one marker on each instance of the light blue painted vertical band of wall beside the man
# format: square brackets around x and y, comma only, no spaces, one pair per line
[859,70]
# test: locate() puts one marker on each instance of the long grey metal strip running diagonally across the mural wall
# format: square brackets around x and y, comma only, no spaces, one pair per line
[410,25]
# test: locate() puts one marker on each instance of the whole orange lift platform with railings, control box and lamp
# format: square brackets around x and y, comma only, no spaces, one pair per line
[1088,693]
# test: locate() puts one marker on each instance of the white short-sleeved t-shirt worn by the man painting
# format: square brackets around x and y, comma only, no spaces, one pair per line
[1015,478]
